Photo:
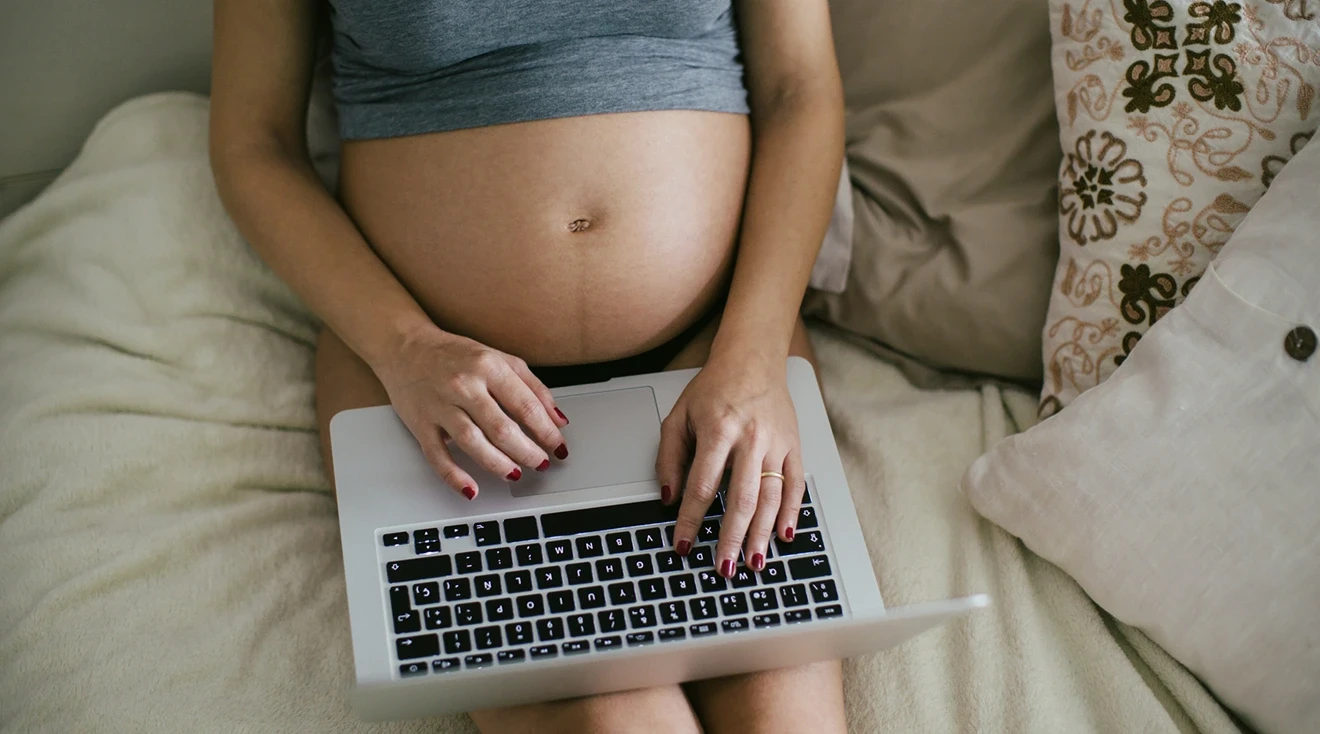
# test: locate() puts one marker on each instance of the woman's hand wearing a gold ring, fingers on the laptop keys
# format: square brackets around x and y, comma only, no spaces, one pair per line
[736,414]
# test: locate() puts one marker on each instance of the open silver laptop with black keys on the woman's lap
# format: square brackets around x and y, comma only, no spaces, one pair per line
[566,583]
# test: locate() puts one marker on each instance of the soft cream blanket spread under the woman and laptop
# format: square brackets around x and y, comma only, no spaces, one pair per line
[170,555]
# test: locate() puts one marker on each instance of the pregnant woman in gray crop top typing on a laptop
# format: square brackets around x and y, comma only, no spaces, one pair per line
[552,192]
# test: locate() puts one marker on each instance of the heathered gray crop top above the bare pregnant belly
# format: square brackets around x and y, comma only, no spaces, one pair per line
[412,67]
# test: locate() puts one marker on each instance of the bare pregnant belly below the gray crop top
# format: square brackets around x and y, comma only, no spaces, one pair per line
[563,242]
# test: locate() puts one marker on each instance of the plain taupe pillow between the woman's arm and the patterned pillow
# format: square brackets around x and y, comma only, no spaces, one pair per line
[954,154]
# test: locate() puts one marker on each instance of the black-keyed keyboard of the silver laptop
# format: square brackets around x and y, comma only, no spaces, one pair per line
[530,588]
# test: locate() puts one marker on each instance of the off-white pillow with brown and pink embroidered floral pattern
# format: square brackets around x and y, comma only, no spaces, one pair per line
[1174,118]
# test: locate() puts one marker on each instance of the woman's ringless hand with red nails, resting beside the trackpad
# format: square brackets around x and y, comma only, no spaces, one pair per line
[492,406]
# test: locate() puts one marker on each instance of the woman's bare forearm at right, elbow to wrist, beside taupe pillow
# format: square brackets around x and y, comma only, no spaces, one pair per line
[798,154]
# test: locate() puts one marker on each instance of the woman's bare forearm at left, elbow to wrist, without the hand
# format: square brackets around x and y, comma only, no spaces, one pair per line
[306,237]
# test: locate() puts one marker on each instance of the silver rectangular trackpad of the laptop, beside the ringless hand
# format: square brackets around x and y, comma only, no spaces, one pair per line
[613,440]
